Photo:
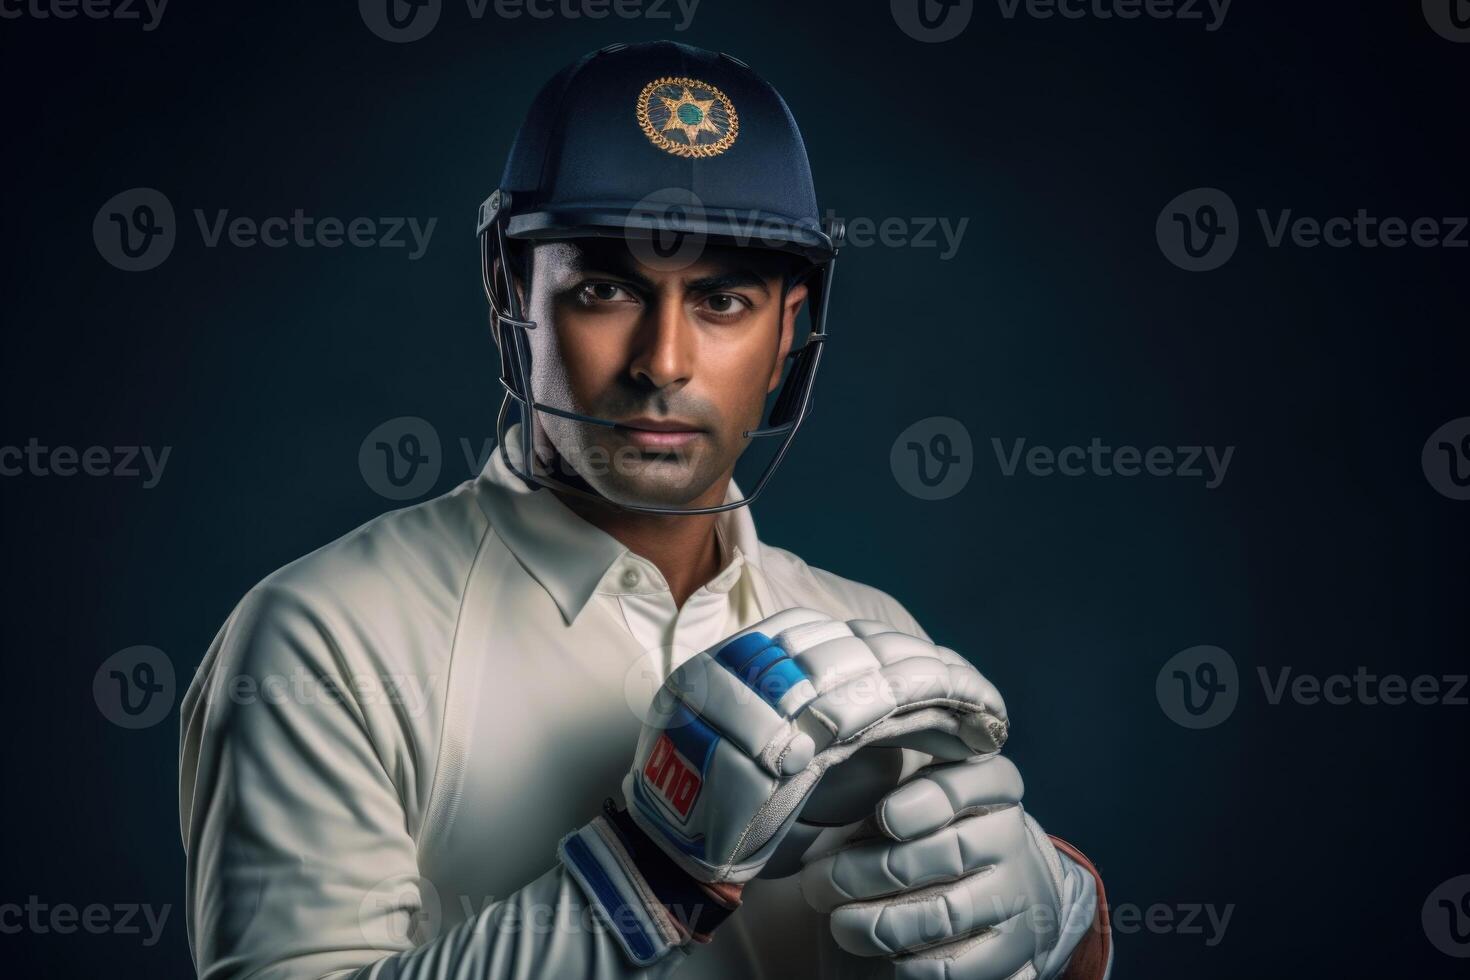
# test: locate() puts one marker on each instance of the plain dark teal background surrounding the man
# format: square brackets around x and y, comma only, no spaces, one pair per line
[1059,321]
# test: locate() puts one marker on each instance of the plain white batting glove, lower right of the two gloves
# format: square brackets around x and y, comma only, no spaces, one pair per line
[956,882]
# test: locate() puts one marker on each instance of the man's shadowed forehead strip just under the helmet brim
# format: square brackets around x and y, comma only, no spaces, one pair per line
[580,256]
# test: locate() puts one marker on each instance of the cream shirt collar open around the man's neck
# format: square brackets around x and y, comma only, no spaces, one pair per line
[568,556]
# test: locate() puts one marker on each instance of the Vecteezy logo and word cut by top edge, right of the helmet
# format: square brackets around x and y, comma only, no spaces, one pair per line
[937,21]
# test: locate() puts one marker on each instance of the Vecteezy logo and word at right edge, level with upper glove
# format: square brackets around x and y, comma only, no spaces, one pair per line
[1199,688]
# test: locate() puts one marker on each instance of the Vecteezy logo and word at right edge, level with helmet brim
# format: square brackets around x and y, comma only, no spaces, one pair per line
[1200,230]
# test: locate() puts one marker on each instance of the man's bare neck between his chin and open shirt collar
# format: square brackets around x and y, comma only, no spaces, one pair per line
[683,547]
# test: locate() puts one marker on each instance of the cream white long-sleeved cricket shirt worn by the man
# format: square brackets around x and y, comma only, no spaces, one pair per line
[389,737]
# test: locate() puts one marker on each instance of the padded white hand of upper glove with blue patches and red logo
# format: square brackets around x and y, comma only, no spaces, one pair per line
[745,732]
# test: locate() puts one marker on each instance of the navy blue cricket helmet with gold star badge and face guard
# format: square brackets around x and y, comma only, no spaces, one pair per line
[668,148]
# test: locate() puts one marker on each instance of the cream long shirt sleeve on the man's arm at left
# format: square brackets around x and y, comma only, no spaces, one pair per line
[302,859]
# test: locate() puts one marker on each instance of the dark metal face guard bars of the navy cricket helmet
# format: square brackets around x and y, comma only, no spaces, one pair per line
[790,411]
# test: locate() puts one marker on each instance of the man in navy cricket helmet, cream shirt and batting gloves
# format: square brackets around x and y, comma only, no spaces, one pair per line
[568,719]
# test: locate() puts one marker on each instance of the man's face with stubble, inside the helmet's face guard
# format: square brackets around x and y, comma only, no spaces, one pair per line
[681,358]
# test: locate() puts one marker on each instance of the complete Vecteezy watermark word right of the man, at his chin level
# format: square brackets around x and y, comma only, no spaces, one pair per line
[1099,459]
